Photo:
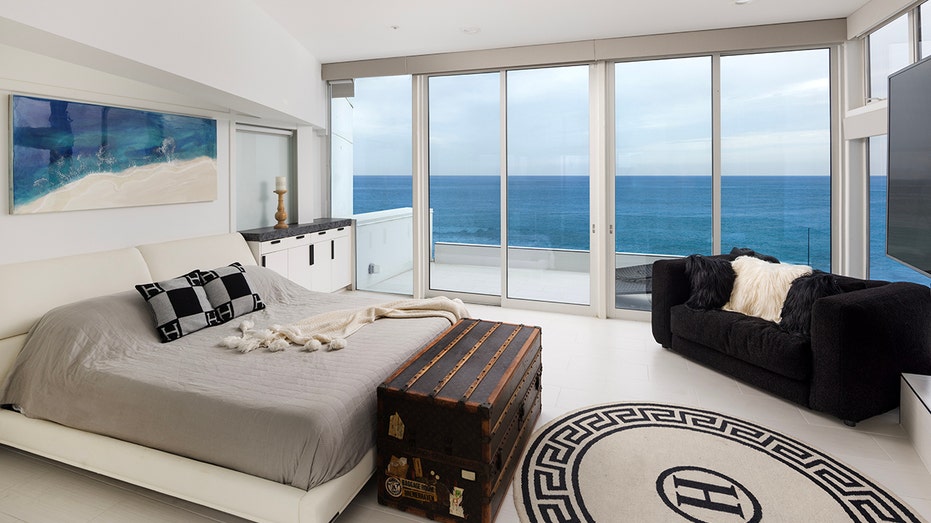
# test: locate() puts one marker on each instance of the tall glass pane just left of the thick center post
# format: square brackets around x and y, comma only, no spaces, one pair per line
[548,185]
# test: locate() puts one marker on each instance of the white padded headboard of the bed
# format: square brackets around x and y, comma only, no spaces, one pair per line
[30,289]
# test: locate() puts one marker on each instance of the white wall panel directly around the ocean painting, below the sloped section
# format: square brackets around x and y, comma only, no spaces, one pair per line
[37,236]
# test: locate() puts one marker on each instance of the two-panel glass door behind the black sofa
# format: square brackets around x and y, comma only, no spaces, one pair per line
[768,188]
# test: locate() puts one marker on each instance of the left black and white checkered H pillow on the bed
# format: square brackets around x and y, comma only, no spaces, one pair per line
[180,305]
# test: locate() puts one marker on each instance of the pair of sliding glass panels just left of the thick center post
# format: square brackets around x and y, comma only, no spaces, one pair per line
[540,117]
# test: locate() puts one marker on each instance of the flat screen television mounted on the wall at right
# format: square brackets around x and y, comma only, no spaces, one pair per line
[908,189]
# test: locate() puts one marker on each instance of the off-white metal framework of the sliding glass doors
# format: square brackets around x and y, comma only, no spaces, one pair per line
[602,167]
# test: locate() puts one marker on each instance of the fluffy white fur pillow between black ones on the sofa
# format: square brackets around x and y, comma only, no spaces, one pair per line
[761,287]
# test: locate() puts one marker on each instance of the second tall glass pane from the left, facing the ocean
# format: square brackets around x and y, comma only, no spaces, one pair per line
[465,183]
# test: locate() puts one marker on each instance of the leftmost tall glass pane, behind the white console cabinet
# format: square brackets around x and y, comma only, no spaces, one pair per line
[371,180]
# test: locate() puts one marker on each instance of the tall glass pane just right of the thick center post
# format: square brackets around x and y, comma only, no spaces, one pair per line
[663,169]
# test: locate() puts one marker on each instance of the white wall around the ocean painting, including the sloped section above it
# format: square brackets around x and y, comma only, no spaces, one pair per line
[225,59]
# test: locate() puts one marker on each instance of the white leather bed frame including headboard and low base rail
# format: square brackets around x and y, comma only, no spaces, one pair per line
[30,289]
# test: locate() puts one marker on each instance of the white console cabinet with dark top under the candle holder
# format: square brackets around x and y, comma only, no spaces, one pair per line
[313,255]
